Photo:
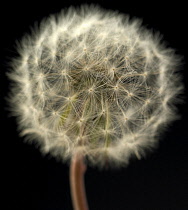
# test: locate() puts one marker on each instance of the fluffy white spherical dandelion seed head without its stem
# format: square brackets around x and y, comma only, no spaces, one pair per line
[94,81]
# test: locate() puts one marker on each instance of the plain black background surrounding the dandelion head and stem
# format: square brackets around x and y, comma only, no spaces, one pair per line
[33,182]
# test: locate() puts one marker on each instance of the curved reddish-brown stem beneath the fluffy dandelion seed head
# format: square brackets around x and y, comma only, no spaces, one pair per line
[77,171]
